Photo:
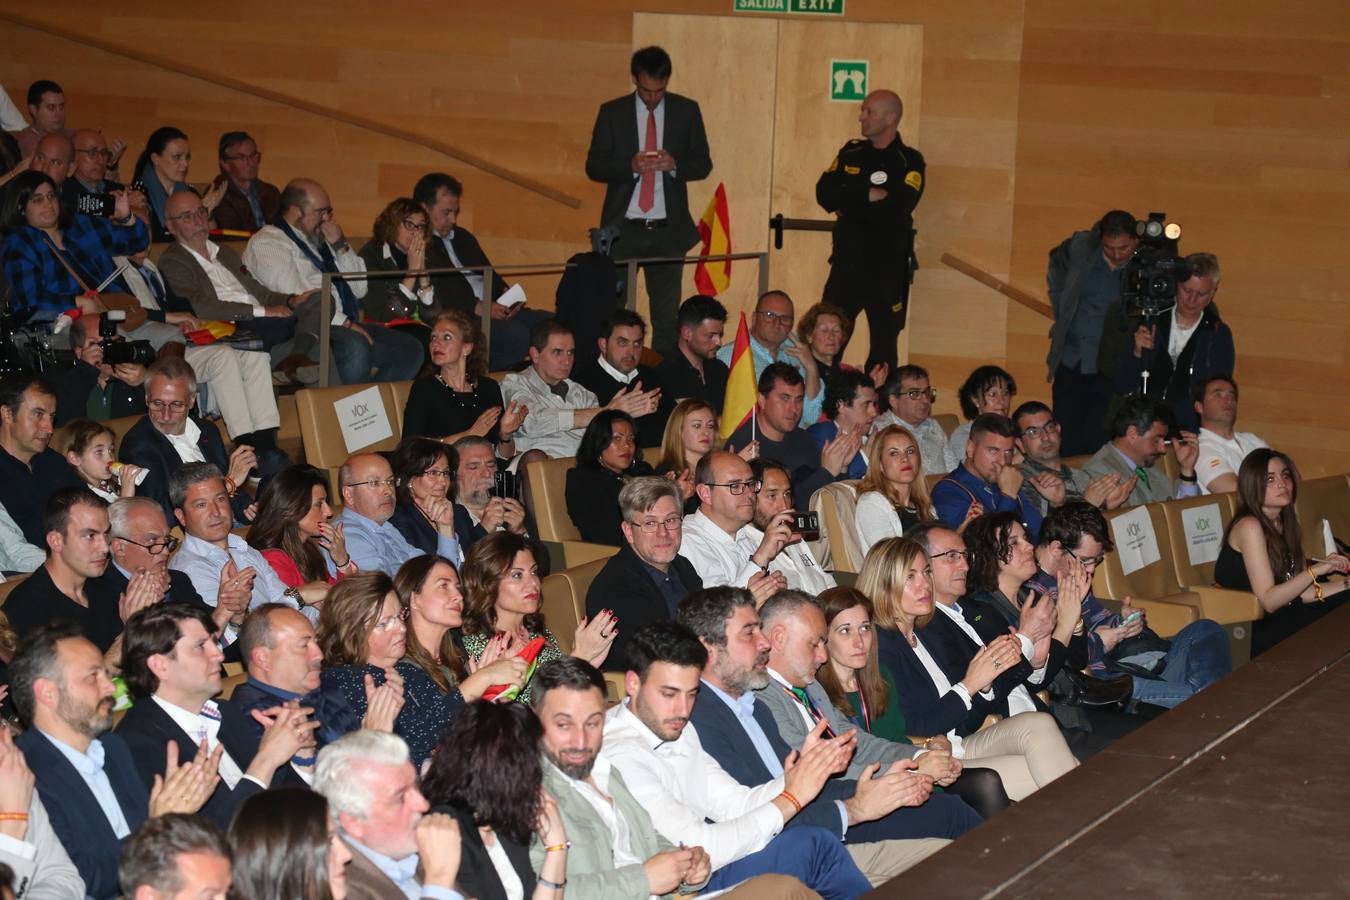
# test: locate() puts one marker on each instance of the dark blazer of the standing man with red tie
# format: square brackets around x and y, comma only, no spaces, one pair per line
[615,144]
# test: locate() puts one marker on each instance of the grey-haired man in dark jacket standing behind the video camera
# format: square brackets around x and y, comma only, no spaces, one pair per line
[1181,350]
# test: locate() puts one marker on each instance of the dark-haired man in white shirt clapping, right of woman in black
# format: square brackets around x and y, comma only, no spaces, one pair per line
[560,408]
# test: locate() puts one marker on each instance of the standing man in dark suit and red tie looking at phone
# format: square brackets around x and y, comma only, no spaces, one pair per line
[646,148]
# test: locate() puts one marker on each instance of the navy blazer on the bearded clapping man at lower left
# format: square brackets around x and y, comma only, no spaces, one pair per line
[76,816]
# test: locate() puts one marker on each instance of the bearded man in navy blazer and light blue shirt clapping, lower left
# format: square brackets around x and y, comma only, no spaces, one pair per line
[86,777]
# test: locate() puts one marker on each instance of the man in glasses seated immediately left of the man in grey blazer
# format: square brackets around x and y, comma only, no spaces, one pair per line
[1055,482]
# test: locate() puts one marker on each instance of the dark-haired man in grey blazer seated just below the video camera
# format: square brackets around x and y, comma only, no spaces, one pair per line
[1137,443]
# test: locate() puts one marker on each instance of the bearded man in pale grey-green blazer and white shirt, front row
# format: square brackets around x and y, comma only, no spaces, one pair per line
[569,697]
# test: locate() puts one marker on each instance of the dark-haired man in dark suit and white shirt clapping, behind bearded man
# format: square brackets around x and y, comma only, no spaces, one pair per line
[172,665]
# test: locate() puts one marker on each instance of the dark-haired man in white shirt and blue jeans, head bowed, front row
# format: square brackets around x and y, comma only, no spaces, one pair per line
[691,797]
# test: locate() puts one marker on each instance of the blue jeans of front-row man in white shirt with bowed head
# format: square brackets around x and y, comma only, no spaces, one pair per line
[811,855]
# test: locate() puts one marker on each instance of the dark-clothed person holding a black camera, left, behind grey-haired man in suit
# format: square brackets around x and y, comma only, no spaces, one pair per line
[94,389]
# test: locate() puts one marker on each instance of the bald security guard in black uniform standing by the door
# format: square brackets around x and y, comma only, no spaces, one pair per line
[874,186]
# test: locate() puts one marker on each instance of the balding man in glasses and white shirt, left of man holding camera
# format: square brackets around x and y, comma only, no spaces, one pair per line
[715,538]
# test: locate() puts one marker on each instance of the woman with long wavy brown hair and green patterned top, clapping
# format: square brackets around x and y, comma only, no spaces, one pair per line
[503,589]
